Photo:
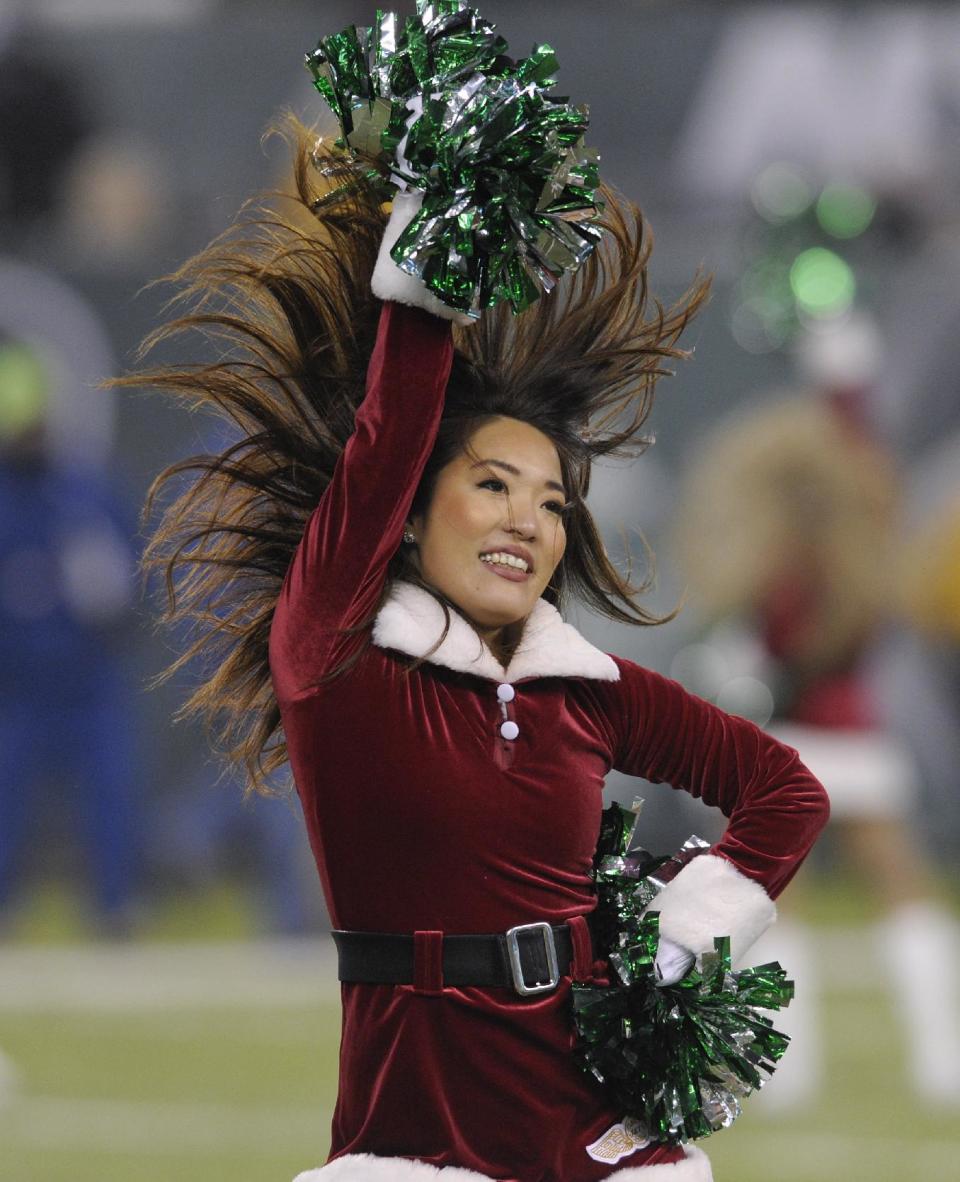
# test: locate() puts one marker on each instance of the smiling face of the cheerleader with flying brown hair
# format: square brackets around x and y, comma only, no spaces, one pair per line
[494,534]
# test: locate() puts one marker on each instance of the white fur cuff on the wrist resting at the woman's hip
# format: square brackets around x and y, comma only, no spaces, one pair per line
[710,898]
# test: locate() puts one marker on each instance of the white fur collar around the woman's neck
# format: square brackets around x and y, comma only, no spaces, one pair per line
[412,622]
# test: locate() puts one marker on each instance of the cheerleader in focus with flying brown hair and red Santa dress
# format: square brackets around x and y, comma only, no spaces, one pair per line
[374,573]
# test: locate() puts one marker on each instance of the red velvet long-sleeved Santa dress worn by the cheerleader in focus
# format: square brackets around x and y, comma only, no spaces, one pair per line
[423,819]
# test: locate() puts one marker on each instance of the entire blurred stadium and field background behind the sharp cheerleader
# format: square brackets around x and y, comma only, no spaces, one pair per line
[167,997]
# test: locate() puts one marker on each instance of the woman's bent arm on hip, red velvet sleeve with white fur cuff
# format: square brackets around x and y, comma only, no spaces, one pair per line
[776,808]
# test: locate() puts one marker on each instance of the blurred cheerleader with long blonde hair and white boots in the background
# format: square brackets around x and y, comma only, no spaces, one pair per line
[787,534]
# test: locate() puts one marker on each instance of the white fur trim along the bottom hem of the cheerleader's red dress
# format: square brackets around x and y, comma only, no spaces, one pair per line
[368,1168]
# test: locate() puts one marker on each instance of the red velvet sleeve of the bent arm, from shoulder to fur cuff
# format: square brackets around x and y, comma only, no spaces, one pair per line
[776,808]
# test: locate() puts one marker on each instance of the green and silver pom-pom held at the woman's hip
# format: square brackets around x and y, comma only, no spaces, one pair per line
[679,1060]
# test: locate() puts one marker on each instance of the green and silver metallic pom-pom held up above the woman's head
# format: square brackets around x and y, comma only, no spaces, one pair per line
[510,191]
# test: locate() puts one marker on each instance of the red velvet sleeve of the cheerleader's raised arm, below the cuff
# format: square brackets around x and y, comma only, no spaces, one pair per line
[339,570]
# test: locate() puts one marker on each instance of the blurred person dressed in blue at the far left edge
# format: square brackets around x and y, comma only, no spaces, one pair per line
[67,579]
